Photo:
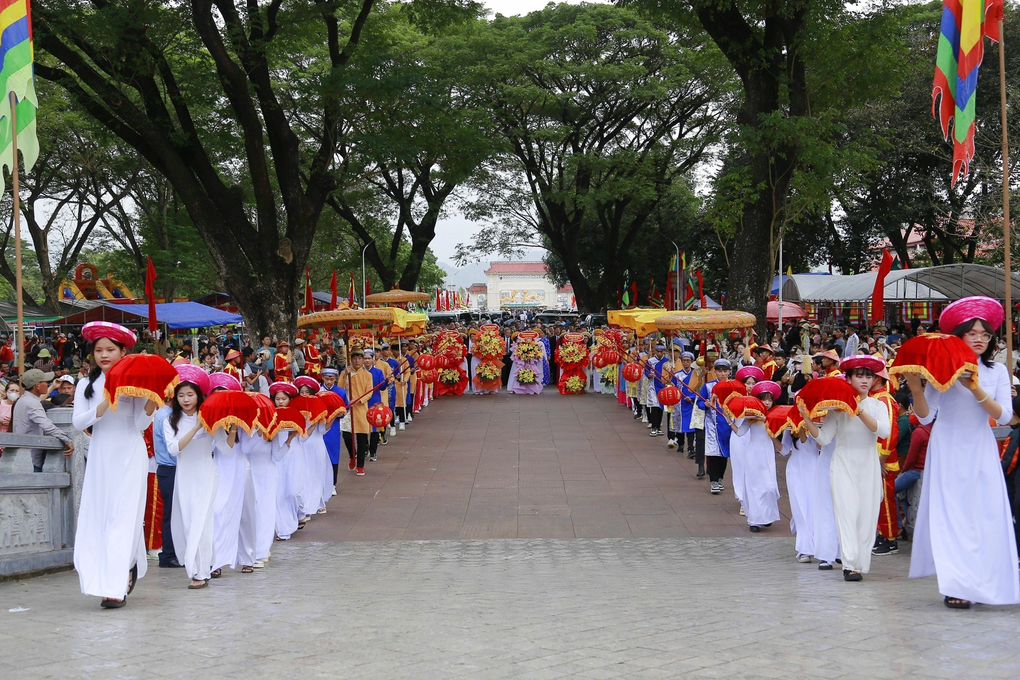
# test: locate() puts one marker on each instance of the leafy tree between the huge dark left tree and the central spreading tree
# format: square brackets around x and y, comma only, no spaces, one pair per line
[419,137]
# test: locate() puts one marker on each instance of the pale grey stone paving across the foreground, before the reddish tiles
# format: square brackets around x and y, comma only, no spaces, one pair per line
[712,608]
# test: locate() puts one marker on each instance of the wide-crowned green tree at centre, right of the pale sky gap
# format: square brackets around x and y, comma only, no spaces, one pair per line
[603,113]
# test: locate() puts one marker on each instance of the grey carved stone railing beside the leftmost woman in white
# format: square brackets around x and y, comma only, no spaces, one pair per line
[38,509]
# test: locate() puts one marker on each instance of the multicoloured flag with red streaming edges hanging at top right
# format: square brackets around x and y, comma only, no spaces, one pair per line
[961,48]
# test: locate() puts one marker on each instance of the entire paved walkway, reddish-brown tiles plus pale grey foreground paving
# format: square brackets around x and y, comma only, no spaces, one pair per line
[729,606]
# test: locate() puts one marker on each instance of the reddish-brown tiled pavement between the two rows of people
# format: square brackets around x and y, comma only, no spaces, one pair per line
[530,467]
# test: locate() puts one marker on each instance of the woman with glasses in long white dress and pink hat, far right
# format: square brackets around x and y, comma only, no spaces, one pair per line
[964,530]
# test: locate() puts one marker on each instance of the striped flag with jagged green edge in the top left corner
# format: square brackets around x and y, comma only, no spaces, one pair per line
[18,76]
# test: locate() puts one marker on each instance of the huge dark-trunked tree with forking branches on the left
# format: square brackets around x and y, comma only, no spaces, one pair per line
[208,92]
